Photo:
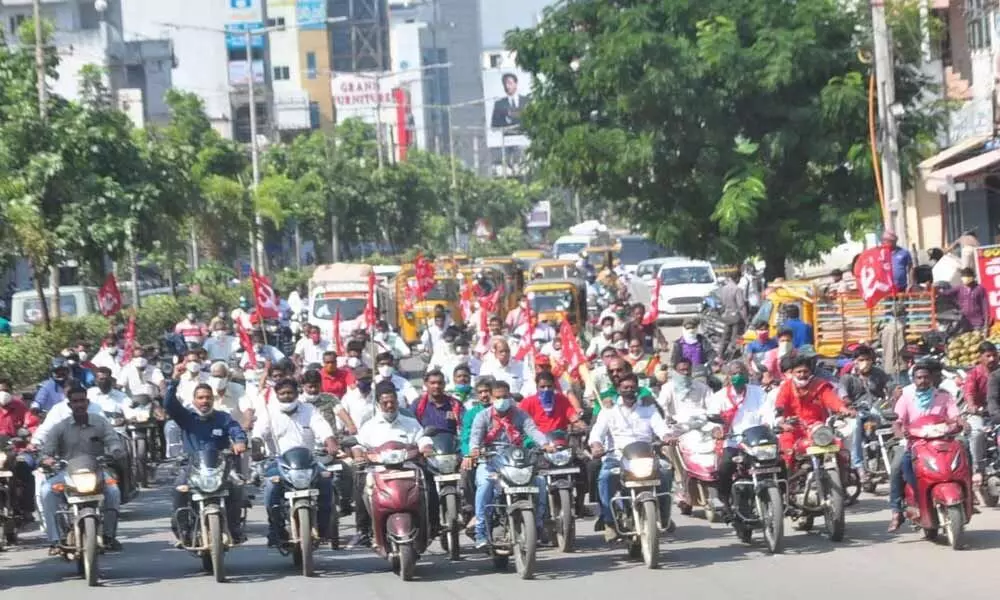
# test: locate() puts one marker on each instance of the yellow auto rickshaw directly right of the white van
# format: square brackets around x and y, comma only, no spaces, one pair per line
[412,320]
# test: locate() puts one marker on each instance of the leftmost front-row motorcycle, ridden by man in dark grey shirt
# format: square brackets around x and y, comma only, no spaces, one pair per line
[80,518]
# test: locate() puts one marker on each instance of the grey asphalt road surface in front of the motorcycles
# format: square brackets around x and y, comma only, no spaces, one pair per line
[699,560]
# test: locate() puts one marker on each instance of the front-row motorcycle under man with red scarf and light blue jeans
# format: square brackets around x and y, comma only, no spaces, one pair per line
[511,530]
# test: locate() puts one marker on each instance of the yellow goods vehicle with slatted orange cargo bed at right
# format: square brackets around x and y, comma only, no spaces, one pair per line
[840,320]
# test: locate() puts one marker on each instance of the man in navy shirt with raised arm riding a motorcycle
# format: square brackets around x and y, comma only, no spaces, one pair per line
[203,427]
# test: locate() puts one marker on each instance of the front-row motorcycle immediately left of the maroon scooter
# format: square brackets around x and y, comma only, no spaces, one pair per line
[299,470]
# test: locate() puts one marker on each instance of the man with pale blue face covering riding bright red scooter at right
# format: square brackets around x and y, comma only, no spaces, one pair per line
[920,399]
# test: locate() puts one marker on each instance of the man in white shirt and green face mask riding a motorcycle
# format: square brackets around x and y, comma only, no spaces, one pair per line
[741,405]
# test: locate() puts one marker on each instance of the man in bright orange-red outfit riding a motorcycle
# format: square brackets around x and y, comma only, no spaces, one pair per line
[810,399]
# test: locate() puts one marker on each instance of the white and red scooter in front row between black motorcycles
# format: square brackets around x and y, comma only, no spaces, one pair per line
[697,456]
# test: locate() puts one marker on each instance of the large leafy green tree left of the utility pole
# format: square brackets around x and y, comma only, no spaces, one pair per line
[725,128]
